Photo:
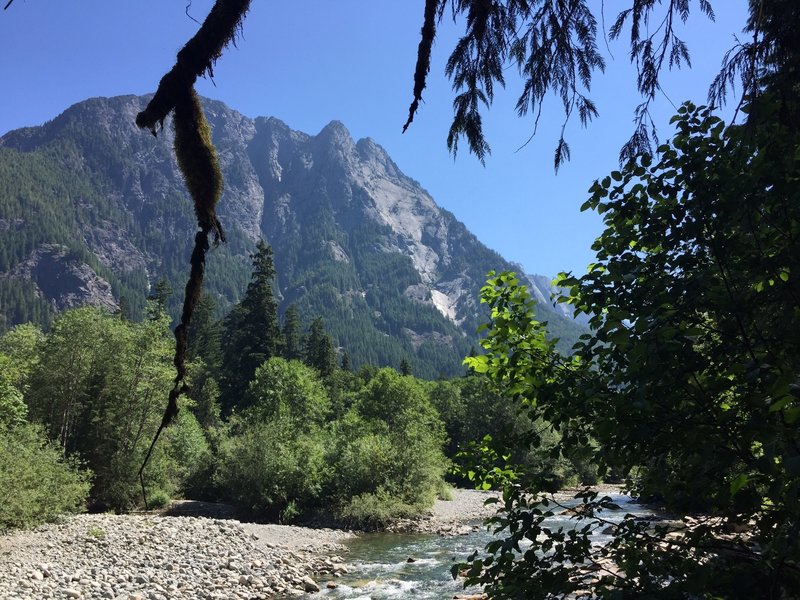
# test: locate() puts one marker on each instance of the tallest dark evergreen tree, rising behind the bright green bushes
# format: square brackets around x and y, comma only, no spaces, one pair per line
[252,332]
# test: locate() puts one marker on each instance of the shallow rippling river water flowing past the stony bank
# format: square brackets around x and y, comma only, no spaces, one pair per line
[380,567]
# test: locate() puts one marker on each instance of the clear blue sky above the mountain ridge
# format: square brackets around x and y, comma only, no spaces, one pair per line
[308,62]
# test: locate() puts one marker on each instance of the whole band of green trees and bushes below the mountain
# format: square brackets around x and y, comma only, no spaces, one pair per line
[274,422]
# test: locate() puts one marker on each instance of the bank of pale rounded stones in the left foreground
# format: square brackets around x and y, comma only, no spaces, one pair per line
[157,558]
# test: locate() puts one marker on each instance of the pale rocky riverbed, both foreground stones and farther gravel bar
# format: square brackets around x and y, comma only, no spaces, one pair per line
[159,557]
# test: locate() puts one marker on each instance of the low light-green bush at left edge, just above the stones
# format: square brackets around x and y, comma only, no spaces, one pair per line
[36,482]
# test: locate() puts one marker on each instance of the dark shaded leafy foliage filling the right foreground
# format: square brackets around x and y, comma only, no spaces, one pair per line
[687,382]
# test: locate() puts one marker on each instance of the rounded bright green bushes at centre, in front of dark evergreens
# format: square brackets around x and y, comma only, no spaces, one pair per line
[381,460]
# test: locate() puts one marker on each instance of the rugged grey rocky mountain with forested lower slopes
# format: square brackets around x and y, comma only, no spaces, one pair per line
[93,209]
